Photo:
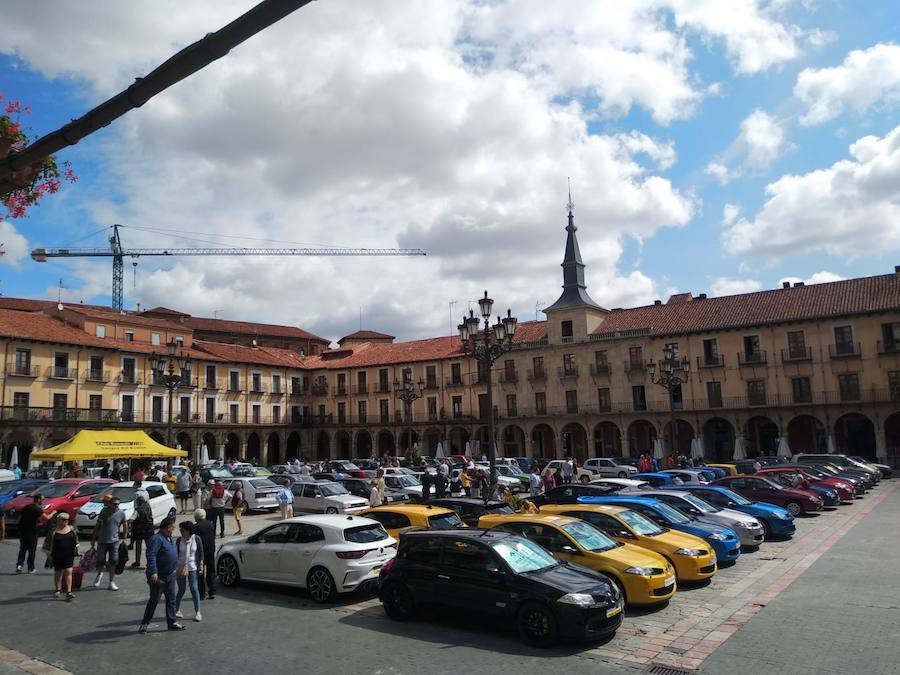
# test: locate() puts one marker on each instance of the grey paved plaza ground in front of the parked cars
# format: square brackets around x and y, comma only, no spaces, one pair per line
[823,602]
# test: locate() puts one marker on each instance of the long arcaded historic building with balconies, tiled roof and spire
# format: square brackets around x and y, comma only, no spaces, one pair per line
[818,365]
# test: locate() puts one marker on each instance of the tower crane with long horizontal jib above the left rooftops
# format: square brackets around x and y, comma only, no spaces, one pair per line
[118,254]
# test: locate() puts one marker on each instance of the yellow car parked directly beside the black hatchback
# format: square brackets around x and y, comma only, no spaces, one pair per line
[643,577]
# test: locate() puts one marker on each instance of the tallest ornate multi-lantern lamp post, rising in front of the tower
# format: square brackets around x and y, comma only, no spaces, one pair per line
[486,345]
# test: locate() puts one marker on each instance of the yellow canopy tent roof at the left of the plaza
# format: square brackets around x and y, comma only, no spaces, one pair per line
[107,444]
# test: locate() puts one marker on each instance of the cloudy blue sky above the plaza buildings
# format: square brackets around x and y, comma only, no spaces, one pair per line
[717,147]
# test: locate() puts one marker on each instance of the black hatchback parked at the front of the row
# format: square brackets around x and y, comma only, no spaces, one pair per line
[498,573]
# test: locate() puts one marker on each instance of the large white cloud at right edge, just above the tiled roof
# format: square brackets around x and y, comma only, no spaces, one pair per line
[850,208]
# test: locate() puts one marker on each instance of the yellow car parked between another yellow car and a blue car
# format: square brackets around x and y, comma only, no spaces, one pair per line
[692,558]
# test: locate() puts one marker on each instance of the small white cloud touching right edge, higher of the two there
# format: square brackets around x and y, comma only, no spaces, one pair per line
[867,78]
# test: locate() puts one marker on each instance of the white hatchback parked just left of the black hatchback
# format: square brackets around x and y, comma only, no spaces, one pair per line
[325,554]
